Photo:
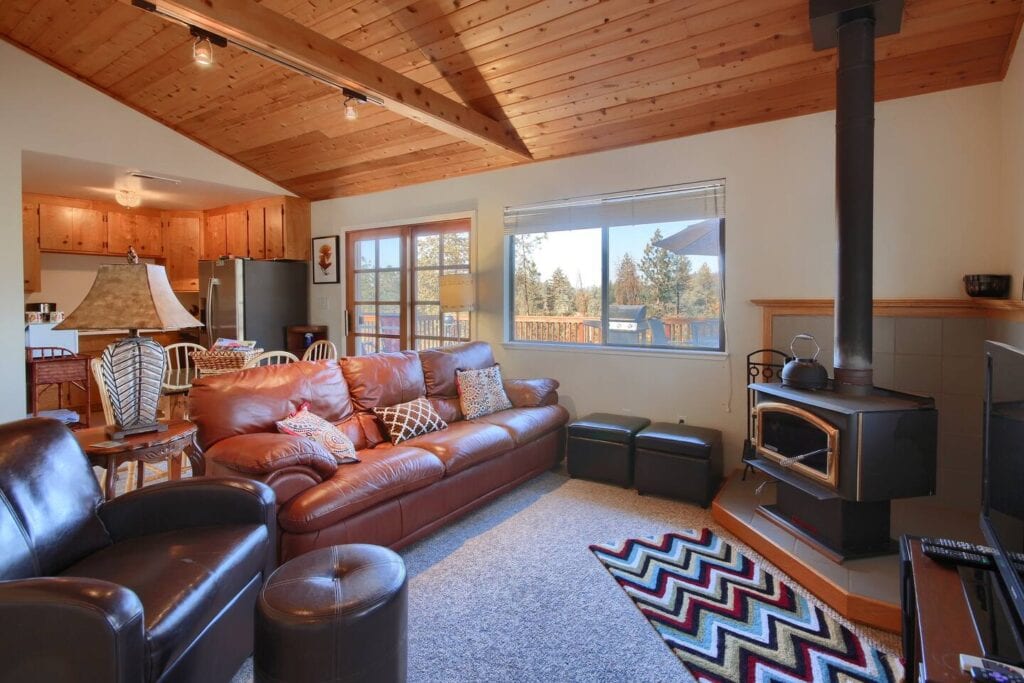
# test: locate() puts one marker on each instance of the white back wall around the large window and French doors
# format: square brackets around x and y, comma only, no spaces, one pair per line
[936,209]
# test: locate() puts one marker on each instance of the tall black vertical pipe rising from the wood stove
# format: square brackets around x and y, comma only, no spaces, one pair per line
[855,198]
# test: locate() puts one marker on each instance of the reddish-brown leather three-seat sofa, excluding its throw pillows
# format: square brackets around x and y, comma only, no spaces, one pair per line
[398,494]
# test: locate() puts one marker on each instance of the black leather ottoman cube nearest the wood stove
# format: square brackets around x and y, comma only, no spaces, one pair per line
[679,461]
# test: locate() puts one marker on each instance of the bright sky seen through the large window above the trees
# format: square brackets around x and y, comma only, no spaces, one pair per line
[579,252]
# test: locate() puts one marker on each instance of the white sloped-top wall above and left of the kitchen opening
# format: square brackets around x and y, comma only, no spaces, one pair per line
[47,111]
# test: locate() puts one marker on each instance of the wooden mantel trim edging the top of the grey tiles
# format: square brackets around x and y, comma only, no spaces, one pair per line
[1007,310]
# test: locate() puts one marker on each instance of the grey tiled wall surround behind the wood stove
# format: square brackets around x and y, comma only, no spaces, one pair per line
[941,358]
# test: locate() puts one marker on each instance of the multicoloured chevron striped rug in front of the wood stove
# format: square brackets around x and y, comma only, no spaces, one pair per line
[729,619]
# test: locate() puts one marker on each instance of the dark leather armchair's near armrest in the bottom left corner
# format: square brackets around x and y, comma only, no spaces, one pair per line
[71,629]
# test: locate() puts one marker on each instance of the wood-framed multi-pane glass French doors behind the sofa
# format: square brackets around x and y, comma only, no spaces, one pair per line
[394,287]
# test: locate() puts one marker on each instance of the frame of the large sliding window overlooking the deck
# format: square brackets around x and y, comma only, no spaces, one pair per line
[606,347]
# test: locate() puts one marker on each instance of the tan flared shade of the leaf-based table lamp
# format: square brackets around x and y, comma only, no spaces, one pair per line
[134,297]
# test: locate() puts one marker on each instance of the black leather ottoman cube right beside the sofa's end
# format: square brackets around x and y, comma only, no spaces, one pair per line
[601,447]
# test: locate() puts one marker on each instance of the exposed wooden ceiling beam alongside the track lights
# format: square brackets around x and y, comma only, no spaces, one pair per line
[252,26]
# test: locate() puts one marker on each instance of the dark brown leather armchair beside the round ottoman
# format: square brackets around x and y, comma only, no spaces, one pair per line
[158,585]
